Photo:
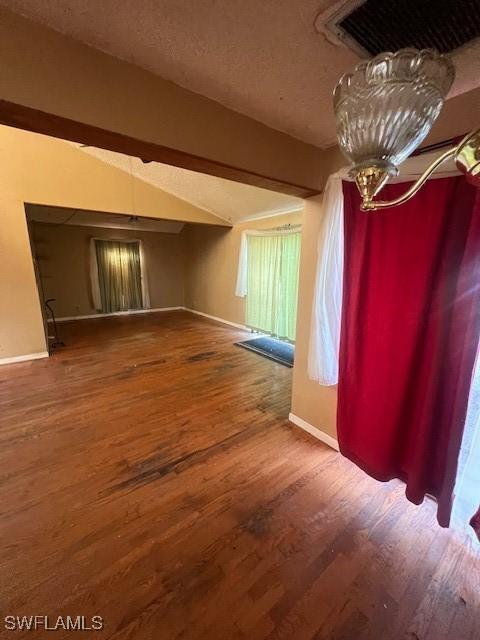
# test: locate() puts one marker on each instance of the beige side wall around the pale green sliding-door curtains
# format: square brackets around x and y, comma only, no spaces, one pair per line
[211,263]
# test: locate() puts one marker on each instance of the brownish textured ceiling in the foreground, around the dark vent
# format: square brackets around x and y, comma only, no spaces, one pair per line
[263,58]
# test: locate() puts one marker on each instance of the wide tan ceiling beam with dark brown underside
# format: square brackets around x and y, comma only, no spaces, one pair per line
[52,84]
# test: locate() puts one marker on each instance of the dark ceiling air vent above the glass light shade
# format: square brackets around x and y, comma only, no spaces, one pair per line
[373,26]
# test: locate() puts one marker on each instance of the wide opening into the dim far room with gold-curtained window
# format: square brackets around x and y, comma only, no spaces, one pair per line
[93,264]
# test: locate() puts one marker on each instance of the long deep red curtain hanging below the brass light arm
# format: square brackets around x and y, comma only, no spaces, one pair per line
[410,330]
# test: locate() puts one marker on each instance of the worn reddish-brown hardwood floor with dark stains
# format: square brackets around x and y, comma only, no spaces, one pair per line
[149,475]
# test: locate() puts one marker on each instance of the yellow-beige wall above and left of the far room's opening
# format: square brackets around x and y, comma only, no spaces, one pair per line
[42,170]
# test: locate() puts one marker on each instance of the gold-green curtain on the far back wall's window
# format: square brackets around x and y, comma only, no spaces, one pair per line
[119,275]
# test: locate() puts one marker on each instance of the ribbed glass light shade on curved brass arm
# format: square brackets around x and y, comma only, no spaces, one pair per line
[385,108]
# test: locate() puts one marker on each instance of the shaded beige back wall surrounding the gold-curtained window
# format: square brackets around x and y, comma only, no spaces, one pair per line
[63,255]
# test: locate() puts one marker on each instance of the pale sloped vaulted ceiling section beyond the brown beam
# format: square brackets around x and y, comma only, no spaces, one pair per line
[229,200]
